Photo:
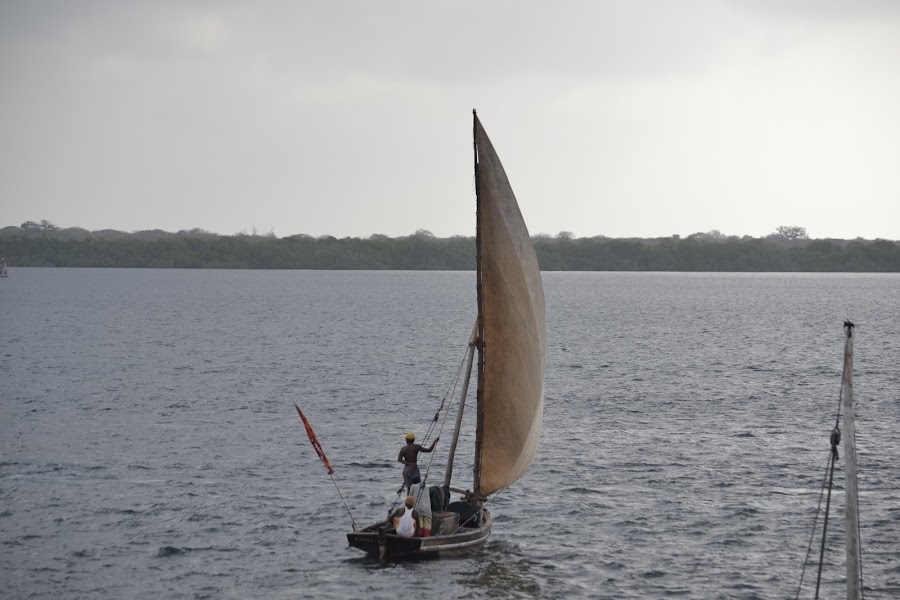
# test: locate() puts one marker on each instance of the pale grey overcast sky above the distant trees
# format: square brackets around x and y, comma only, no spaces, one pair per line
[626,118]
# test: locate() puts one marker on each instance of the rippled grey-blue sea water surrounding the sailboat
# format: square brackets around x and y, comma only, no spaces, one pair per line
[149,447]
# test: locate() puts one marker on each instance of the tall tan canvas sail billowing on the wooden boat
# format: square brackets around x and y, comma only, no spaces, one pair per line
[511,398]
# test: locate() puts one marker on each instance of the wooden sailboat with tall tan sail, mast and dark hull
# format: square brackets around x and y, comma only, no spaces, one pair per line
[511,341]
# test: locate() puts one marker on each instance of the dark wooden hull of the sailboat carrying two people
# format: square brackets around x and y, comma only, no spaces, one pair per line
[389,546]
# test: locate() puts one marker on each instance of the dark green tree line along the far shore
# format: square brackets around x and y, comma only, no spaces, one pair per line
[42,244]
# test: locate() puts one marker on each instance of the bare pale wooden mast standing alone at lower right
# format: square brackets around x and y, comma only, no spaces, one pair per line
[851,505]
